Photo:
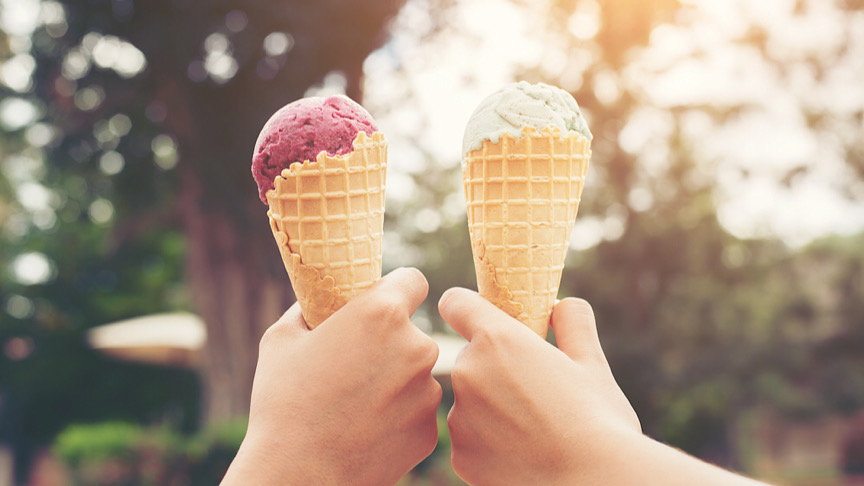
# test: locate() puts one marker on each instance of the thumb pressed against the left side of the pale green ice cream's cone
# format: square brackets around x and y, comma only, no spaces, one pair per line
[466,312]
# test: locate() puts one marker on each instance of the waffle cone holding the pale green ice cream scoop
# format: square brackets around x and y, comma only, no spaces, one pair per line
[523,194]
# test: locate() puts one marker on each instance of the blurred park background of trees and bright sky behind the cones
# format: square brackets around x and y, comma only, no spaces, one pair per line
[720,237]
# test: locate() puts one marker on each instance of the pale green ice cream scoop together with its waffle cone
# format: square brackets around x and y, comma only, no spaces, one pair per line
[523,190]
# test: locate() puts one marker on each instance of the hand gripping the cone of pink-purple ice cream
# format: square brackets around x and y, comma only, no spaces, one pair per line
[351,402]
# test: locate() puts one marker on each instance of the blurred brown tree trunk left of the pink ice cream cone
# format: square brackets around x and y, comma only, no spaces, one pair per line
[239,288]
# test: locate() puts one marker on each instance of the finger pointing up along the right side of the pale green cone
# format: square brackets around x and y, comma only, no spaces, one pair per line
[575,329]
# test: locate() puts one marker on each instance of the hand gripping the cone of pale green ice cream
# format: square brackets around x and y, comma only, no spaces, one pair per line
[526,412]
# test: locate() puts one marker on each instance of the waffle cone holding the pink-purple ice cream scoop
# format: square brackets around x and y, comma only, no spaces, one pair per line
[327,217]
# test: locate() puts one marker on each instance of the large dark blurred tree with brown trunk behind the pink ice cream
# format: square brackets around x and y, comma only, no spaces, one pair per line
[149,112]
